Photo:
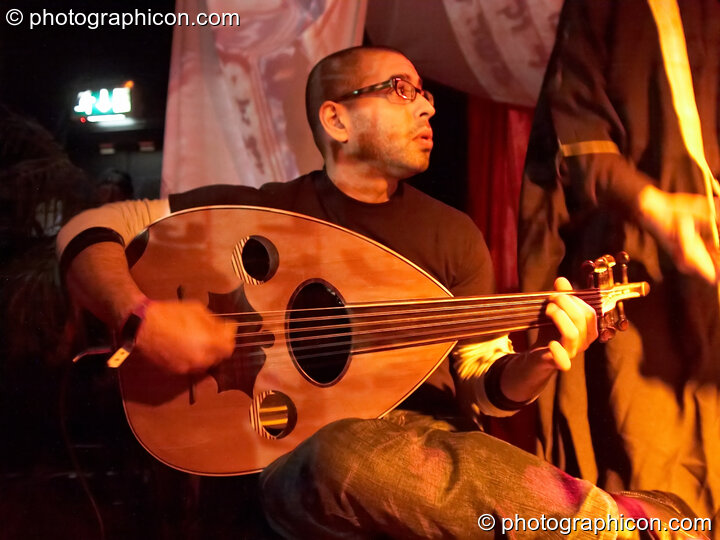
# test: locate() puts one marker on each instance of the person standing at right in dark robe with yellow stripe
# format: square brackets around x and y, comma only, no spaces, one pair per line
[613,164]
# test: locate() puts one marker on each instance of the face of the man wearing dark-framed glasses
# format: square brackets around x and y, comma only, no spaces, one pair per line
[387,133]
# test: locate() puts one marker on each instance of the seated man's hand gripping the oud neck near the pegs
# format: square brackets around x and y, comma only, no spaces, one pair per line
[576,323]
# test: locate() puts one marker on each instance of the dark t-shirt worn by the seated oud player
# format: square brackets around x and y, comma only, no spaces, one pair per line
[441,240]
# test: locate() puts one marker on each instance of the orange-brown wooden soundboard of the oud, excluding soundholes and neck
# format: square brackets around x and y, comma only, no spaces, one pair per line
[201,426]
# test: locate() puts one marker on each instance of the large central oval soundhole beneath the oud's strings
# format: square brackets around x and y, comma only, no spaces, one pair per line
[319,332]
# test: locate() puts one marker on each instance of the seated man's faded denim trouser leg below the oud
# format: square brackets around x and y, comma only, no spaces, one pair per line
[412,476]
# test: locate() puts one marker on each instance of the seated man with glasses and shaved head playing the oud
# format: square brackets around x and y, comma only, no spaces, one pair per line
[414,473]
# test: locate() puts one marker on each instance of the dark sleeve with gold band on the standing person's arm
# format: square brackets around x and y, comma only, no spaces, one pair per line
[592,142]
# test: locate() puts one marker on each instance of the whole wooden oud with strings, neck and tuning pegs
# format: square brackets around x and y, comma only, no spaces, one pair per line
[330,325]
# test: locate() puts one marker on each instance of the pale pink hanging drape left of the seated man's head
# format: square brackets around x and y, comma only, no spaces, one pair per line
[236,95]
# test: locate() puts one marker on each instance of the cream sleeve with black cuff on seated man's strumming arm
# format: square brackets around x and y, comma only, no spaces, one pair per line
[118,222]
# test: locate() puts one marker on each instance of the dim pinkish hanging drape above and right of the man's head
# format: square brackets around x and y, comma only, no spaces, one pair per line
[494,49]
